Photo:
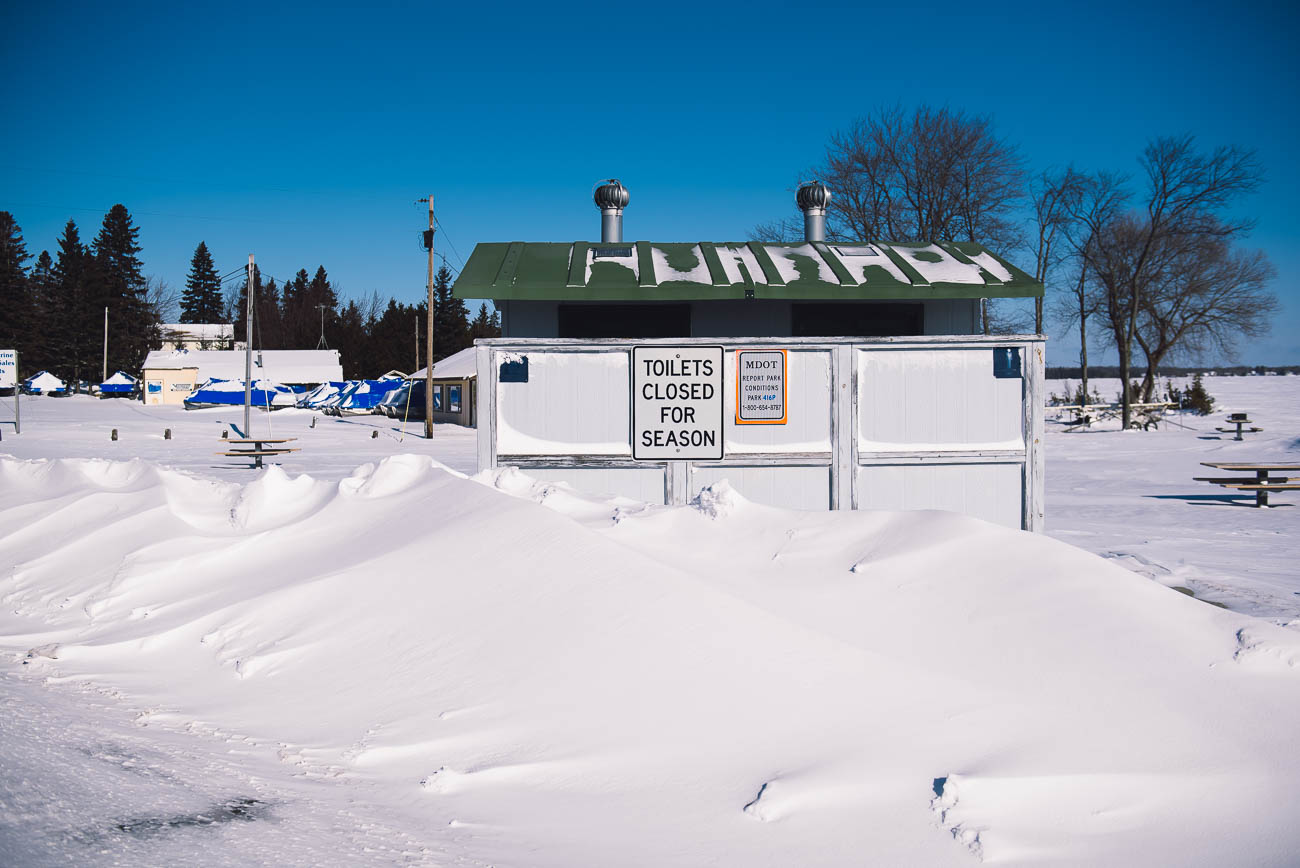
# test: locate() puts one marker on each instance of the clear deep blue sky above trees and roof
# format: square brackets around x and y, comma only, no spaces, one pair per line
[304,133]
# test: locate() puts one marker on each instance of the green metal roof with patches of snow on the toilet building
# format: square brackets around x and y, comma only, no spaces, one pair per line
[679,272]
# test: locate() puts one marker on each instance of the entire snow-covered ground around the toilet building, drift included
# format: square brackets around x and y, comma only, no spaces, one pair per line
[369,658]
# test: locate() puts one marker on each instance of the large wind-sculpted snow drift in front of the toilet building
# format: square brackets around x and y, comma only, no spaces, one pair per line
[553,680]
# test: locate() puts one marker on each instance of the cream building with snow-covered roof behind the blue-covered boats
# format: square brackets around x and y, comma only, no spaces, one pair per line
[170,376]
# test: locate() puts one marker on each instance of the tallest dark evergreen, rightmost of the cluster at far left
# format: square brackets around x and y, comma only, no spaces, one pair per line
[120,285]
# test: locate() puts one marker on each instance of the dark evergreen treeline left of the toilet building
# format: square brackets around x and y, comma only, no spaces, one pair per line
[54,310]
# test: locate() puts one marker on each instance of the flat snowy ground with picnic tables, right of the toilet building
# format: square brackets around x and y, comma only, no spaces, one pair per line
[1130,497]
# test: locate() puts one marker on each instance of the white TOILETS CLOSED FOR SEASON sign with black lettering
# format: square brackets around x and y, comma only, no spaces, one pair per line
[678,403]
